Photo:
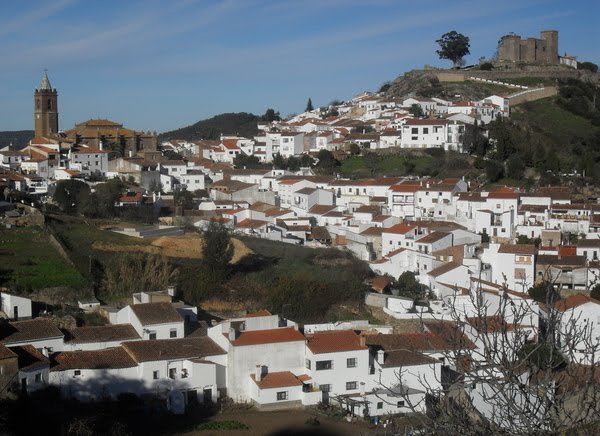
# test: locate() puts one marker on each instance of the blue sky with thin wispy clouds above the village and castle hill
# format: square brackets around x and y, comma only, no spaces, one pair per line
[160,65]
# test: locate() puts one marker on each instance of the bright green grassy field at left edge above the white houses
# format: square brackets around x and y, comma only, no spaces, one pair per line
[28,261]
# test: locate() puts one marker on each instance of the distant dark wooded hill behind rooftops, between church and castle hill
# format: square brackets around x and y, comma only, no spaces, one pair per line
[241,123]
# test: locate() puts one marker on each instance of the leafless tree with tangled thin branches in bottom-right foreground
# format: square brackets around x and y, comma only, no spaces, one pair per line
[512,366]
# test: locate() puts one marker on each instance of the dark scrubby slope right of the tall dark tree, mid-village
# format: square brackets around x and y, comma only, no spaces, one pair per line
[312,284]
